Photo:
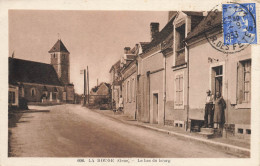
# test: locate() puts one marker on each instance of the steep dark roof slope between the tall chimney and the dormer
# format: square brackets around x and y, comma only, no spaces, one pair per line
[161,36]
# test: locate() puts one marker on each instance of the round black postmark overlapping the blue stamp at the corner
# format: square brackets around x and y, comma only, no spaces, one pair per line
[230,30]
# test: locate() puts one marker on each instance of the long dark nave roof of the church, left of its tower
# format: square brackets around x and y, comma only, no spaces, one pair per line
[32,72]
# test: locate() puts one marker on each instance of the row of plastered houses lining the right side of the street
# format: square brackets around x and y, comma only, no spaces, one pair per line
[164,81]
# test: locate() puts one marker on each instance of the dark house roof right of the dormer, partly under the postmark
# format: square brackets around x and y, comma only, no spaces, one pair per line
[201,27]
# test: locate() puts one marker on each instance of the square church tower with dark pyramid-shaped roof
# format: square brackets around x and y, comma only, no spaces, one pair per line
[60,61]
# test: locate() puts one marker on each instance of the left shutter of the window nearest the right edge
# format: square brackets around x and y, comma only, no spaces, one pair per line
[240,82]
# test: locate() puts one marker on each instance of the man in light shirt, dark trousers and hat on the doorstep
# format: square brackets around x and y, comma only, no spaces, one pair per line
[209,110]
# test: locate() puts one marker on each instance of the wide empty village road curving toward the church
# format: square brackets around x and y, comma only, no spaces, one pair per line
[75,131]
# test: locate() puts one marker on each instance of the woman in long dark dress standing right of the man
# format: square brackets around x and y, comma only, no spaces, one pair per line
[219,115]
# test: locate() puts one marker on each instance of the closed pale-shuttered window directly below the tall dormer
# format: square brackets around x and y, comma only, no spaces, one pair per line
[179,90]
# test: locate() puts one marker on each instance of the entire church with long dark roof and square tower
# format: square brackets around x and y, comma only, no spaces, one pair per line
[40,82]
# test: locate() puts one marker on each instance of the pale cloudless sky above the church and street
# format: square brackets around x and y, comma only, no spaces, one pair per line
[94,38]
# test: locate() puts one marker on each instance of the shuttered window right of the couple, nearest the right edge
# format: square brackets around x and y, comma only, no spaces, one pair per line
[244,82]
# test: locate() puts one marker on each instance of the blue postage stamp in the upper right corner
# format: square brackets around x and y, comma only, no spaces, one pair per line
[239,23]
